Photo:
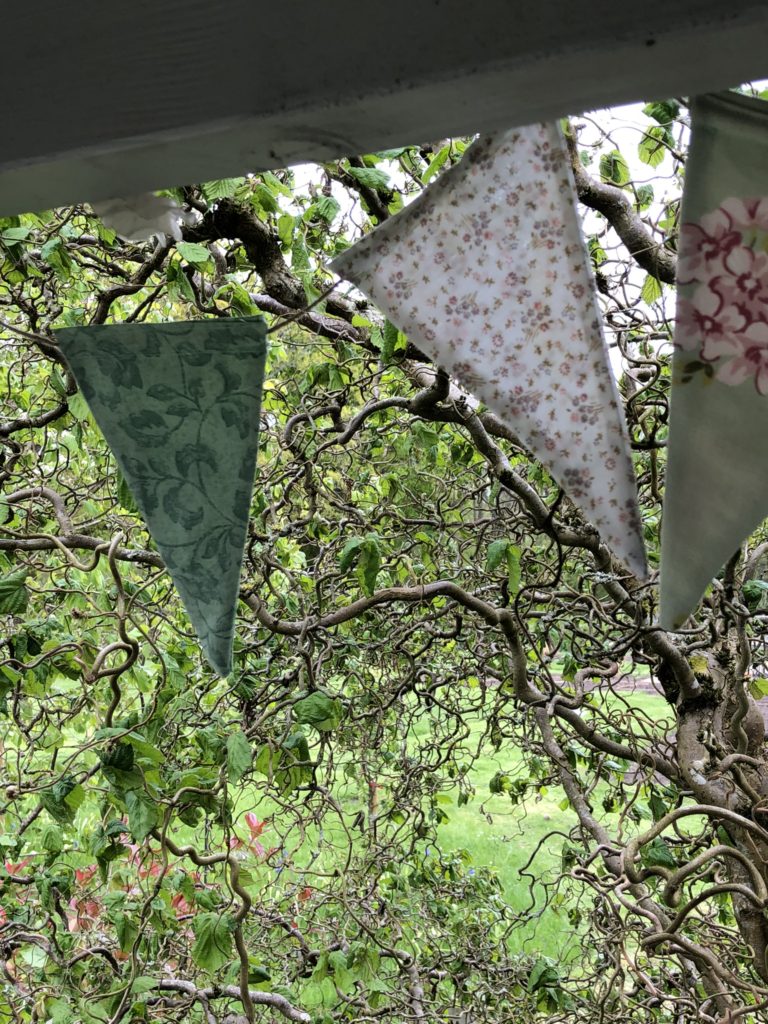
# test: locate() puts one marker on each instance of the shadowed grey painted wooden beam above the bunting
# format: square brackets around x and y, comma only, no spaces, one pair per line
[104,99]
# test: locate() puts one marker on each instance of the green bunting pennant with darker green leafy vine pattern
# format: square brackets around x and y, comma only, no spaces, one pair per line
[180,405]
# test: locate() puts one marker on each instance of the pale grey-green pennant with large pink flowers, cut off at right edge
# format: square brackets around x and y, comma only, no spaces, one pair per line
[717,472]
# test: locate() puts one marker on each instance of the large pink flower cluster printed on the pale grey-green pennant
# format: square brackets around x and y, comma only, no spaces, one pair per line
[722,314]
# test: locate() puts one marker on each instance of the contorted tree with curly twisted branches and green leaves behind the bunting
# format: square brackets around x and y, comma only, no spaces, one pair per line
[416,592]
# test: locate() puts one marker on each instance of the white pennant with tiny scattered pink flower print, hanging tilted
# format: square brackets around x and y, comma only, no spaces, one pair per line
[488,274]
